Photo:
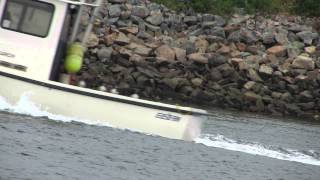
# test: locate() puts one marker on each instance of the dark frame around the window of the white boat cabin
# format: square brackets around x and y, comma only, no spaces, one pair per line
[26,4]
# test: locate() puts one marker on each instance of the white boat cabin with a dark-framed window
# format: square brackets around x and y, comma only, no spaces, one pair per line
[34,35]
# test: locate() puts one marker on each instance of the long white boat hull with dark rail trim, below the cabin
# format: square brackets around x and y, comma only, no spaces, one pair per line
[118,111]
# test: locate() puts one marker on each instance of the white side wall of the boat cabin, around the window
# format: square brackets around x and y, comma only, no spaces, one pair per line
[36,53]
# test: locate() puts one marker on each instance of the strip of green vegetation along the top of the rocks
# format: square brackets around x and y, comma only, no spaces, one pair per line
[223,7]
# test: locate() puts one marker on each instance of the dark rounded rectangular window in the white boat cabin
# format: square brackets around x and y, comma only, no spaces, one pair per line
[30,17]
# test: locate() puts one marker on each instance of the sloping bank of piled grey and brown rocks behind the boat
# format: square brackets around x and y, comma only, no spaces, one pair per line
[249,63]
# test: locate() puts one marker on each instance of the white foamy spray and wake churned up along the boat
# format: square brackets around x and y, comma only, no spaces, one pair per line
[27,107]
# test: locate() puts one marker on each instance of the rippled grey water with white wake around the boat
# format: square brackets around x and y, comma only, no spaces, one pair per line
[232,146]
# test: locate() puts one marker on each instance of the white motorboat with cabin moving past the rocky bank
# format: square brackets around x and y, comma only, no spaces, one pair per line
[34,36]
